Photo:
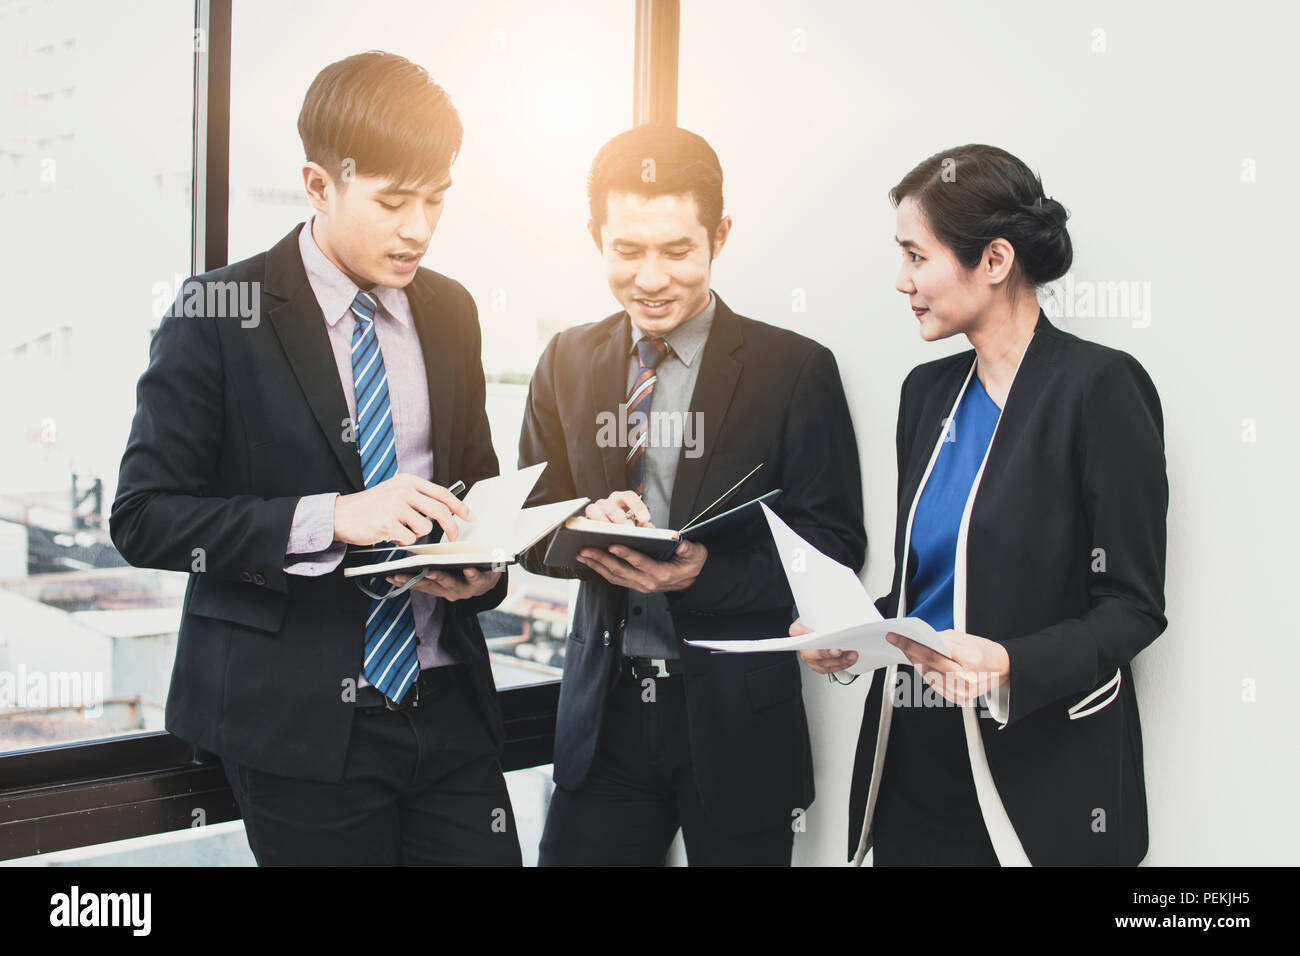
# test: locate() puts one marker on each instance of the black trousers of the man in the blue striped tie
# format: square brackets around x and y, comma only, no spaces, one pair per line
[422,786]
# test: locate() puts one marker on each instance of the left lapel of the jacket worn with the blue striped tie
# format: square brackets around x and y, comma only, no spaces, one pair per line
[301,327]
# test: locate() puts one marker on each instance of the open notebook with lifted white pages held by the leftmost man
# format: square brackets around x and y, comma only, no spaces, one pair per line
[502,533]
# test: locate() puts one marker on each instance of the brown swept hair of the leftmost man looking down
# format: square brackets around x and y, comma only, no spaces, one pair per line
[385,115]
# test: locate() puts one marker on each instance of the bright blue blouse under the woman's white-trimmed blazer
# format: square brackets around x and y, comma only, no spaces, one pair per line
[939,513]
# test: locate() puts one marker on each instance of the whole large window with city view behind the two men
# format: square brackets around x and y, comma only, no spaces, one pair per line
[99,132]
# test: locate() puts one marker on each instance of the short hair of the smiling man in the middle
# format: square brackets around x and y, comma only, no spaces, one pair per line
[655,161]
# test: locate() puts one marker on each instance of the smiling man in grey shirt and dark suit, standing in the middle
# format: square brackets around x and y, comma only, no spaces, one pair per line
[655,413]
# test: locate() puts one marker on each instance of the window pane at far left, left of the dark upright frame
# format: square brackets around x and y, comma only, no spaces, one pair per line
[96,172]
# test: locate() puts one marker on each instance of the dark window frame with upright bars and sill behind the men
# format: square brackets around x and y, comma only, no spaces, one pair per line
[137,785]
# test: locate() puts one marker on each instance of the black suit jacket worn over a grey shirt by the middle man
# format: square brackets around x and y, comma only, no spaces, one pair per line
[766,396]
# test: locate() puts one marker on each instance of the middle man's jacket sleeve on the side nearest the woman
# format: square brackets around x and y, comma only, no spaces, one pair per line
[821,501]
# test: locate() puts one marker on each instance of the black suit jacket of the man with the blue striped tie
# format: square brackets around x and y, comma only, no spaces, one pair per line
[233,427]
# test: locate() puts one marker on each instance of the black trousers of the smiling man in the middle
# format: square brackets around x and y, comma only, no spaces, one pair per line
[642,789]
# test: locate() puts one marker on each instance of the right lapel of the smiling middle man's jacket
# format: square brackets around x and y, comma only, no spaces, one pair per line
[720,371]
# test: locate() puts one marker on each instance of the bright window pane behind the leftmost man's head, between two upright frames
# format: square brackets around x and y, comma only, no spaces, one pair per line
[538,97]
